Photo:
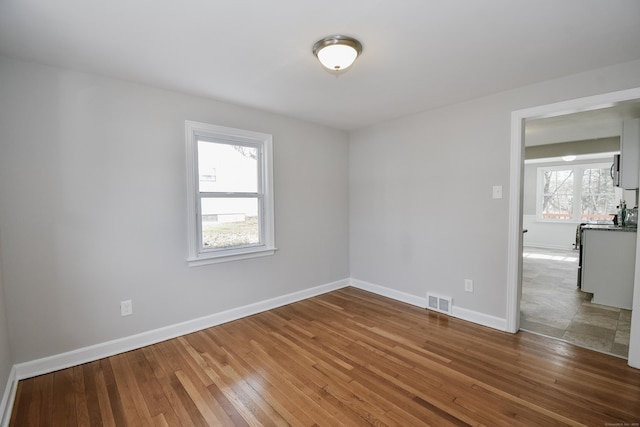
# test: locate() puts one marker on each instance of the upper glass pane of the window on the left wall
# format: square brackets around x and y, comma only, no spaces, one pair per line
[227,168]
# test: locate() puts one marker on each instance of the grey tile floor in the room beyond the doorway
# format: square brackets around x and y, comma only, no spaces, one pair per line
[553,305]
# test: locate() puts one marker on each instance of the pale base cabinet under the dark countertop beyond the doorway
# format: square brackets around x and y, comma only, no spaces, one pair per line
[608,266]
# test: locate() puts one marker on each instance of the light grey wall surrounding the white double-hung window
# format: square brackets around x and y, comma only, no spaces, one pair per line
[93,205]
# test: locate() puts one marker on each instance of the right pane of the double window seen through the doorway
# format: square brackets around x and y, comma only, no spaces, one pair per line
[598,194]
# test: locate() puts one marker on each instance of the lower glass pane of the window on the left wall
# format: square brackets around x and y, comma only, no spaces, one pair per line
[229,222]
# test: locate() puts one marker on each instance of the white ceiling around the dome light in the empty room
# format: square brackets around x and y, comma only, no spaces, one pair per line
[418,54]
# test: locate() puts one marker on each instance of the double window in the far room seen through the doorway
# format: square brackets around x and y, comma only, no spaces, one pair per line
[575,193]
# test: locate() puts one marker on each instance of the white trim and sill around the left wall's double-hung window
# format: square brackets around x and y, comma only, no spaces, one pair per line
[196,256]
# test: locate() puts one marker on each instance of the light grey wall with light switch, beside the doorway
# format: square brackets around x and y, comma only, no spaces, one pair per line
[421,207]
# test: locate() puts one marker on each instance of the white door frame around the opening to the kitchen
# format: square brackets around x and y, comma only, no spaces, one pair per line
[516,182]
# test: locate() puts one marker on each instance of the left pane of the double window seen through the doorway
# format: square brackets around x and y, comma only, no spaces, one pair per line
[557,194]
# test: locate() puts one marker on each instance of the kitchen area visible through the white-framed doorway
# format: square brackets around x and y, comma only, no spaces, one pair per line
[570,290]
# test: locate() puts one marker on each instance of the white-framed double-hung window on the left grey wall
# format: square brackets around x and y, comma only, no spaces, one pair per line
[230,193]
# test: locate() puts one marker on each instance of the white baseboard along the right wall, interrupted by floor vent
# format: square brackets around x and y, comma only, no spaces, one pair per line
[459,312]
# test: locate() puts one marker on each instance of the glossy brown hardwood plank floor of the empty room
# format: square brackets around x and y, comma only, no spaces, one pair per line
[346,358]
